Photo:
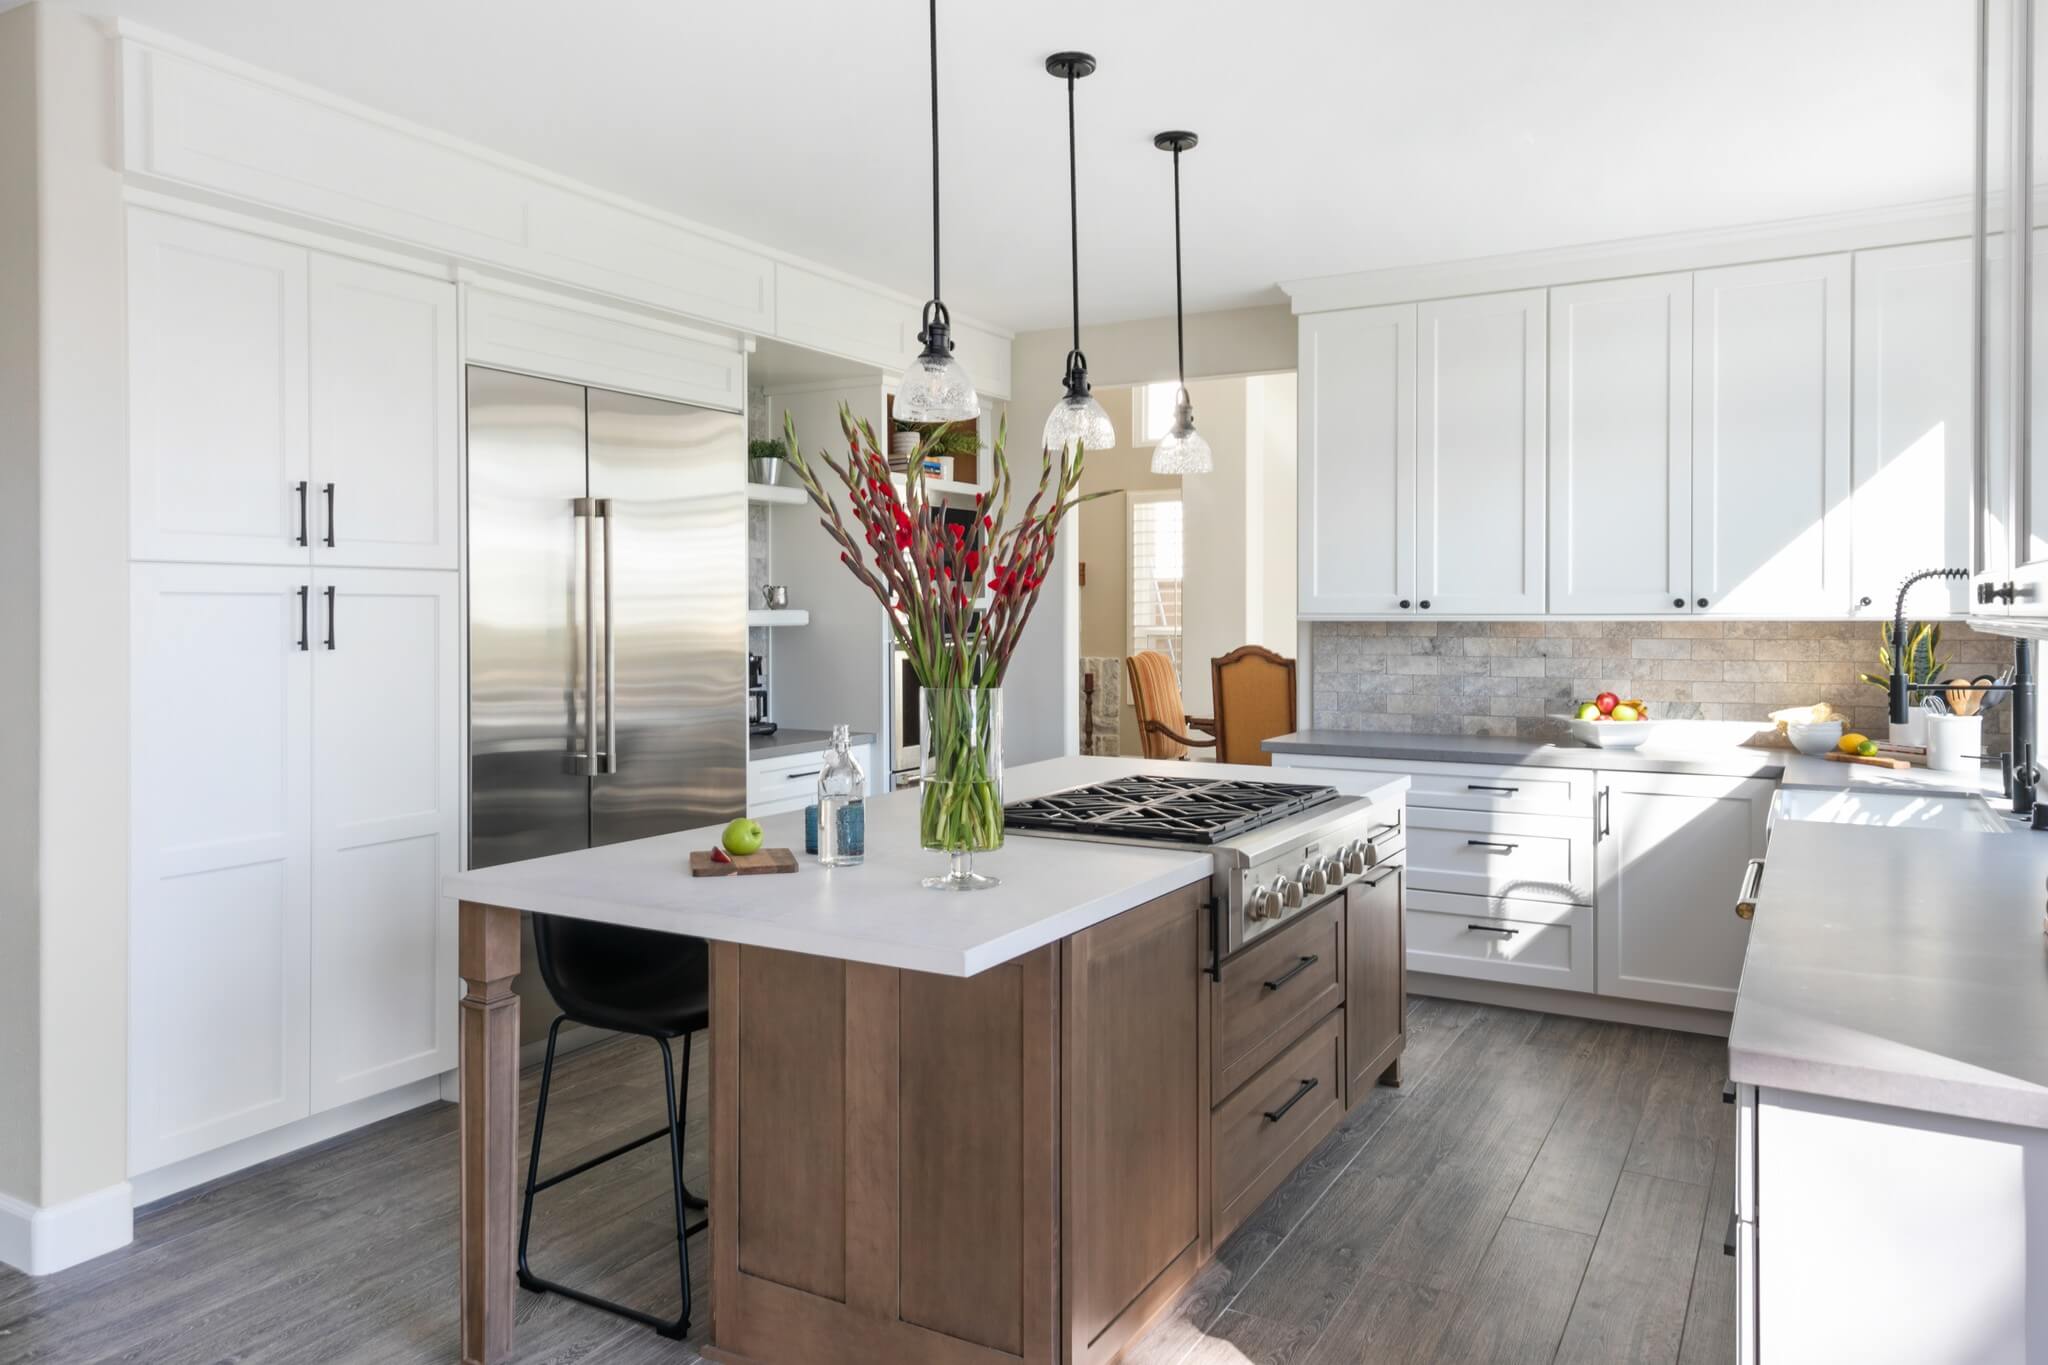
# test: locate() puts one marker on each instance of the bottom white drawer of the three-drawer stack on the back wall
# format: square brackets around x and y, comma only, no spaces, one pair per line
[1500,938]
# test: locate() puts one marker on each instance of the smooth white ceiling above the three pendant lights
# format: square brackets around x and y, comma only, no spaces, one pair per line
[1336,134]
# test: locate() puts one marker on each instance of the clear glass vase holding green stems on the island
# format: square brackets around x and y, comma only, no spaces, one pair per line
[962,801]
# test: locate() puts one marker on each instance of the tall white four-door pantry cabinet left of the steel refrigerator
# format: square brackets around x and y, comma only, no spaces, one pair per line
[296,682]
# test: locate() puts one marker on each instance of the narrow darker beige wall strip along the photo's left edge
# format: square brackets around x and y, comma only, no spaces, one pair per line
[19,609]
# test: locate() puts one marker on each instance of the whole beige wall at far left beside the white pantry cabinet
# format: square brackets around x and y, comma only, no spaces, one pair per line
[67,617]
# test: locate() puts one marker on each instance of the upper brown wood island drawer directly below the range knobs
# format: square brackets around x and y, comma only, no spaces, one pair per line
[1275,989]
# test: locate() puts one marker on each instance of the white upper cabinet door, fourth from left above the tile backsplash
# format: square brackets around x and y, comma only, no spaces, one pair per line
[1770,439]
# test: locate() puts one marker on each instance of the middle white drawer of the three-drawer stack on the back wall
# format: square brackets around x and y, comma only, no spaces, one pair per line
[1523,856]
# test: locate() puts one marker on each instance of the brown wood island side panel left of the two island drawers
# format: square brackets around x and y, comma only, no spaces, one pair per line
[1136,1088]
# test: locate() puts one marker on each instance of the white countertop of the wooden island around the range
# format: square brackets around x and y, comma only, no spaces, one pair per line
[878,912]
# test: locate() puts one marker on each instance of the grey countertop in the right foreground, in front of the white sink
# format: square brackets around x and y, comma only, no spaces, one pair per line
[1900,969]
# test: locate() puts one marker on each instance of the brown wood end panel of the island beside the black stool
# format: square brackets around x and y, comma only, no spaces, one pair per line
[886,1161]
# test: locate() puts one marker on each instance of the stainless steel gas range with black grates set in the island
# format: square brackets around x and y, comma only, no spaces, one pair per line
[1281,848]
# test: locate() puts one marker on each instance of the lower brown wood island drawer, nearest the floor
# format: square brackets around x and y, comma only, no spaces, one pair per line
[1271,1127]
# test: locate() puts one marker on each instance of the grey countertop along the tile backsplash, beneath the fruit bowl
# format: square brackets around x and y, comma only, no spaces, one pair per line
[1678,748]
